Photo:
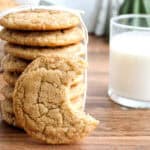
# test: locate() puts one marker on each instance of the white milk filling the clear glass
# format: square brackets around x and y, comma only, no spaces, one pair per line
[130,65]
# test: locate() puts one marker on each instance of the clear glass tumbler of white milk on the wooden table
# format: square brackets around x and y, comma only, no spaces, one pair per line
[129,72]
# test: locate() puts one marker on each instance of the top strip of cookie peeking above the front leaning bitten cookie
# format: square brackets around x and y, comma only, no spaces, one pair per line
[58,62]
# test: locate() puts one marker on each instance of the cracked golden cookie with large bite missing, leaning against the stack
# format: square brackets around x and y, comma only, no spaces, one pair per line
[43,107]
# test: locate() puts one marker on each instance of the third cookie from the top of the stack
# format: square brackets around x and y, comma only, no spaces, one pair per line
[30,53]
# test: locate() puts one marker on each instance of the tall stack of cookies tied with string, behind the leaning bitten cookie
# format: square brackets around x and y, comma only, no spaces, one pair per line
[33,33]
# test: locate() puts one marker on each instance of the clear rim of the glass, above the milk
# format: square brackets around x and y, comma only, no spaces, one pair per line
[114,20]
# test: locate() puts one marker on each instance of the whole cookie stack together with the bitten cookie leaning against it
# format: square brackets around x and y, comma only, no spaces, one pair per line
[44,71]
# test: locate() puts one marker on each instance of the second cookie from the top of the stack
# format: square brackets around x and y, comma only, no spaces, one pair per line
[45,38]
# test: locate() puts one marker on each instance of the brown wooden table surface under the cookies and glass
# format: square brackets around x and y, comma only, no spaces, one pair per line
[120,128]
